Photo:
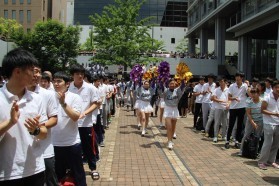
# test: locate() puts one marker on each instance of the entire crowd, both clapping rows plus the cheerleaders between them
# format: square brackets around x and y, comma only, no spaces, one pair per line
[51,125]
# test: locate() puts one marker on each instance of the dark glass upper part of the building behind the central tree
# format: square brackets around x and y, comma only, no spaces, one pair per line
[166,13]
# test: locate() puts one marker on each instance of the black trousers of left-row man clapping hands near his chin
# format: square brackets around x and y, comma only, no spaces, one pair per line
[69,157]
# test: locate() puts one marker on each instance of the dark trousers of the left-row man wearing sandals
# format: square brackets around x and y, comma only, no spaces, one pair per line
[87,146]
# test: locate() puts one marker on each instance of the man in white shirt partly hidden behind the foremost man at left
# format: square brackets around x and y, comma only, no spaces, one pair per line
[50,107]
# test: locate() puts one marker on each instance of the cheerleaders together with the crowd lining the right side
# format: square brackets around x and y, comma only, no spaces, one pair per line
[228,111]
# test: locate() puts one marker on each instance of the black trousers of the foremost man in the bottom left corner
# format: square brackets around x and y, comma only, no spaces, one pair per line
[34,180]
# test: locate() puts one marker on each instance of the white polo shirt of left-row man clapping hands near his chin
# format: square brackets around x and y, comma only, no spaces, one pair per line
[65,133]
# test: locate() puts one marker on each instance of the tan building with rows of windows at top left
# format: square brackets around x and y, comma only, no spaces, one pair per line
[28,12]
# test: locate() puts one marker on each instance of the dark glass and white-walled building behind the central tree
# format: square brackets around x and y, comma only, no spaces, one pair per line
[169,18]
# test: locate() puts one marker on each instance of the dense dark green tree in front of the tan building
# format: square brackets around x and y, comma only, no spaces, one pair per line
[54,45]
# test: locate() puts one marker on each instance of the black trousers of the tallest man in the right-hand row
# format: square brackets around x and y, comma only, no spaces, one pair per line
[239,115]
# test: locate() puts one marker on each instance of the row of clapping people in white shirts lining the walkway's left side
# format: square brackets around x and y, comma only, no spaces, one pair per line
[50,125]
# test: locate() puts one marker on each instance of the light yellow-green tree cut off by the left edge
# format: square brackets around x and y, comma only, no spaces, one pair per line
[9,28]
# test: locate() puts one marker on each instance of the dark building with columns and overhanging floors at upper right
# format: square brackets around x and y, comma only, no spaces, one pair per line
[253,23]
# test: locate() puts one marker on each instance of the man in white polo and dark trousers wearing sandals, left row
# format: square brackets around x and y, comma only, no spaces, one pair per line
[89,106]
